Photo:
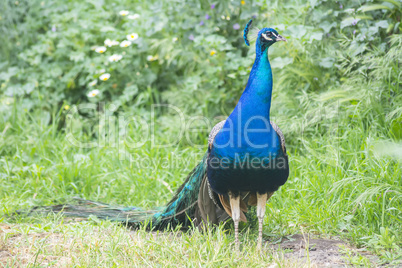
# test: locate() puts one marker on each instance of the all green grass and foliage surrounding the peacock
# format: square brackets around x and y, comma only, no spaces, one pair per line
[337,98]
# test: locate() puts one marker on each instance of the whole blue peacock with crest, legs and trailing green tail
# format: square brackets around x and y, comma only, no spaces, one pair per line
[245,163]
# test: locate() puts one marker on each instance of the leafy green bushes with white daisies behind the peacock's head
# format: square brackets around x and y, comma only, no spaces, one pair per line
[187,50]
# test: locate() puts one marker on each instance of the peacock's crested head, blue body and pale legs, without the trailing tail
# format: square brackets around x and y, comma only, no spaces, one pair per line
[247,158]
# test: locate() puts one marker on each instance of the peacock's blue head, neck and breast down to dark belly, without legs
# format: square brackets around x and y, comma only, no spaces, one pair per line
[248,134]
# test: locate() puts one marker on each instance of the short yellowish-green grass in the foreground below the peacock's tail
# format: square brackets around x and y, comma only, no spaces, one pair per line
[85,244]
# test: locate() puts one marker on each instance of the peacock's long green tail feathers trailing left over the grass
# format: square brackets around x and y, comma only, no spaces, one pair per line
[180,209]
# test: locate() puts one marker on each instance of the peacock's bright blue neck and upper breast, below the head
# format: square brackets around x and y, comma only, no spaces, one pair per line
[250,130]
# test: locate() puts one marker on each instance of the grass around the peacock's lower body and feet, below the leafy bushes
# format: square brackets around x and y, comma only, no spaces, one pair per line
[334,190]
